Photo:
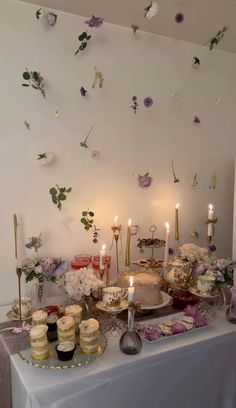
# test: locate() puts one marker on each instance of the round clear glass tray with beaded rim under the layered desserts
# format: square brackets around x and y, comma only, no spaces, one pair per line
[79,359]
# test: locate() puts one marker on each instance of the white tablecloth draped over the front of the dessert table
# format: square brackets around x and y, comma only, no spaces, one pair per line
[195,370]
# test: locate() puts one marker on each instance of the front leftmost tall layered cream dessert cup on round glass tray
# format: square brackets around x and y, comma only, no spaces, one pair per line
[39,342]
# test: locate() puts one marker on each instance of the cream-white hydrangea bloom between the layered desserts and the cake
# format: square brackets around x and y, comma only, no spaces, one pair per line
[81,282]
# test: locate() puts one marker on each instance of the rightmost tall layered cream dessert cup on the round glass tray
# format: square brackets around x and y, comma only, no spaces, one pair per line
[89,336]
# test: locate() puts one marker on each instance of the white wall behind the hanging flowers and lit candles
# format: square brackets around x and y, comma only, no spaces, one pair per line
[145,65]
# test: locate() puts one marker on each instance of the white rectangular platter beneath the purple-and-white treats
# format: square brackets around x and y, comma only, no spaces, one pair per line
[160,321]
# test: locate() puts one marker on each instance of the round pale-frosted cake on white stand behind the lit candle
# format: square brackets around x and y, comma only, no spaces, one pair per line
[147,287]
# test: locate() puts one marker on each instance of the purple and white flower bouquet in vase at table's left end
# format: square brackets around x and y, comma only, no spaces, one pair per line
[40,268]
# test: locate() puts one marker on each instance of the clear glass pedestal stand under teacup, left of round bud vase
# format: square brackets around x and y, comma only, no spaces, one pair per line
[112,327]
